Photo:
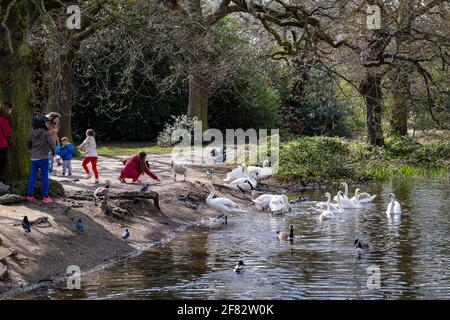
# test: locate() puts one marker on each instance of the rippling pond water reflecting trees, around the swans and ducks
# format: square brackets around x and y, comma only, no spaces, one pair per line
[412,254]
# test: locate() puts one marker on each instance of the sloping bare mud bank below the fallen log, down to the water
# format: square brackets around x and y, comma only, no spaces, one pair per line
[54,244]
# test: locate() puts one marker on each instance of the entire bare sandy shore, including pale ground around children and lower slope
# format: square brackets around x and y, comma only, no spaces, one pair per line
[46,254]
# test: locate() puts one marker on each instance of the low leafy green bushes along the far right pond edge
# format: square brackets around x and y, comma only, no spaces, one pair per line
[326,160]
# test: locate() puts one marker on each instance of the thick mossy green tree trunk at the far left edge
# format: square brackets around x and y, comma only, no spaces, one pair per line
[17,65]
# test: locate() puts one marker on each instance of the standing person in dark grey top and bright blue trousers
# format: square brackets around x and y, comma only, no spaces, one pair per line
[40,143]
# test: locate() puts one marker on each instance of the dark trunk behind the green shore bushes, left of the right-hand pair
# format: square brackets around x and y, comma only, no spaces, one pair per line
[370,89]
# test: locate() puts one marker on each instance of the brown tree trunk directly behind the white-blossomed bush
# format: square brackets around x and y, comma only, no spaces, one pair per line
[198,102]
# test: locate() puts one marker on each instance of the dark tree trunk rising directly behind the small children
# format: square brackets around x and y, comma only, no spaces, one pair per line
[61,90]
